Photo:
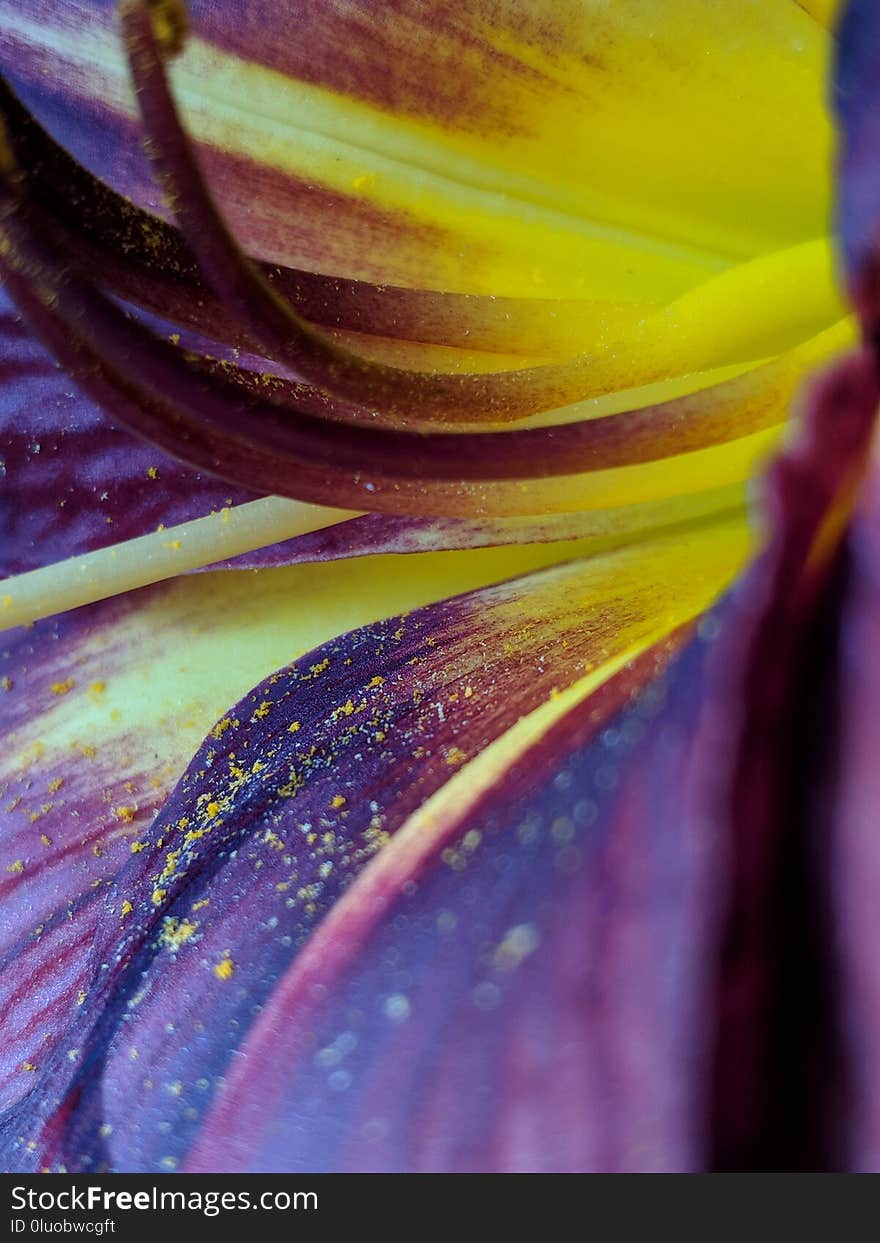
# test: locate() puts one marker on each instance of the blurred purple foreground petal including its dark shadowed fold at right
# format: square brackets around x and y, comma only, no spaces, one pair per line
[616,978]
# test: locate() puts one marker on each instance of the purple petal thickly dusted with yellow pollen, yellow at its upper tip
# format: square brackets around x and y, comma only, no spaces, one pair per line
[280,812]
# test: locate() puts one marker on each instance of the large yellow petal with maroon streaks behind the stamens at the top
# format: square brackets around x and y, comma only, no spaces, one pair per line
[559,150]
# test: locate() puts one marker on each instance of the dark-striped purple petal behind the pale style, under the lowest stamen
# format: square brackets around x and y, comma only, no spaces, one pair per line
[74,483]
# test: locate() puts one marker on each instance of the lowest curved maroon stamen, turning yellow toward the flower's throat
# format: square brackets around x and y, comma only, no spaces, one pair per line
[211,423]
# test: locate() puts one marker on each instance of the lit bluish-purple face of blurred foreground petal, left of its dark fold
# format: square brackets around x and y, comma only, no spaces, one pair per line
[525,990]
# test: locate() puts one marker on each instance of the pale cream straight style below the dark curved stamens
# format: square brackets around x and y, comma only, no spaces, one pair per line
[156,557]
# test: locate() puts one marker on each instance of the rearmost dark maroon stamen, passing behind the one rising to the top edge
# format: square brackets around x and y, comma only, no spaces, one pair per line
[149,263]
